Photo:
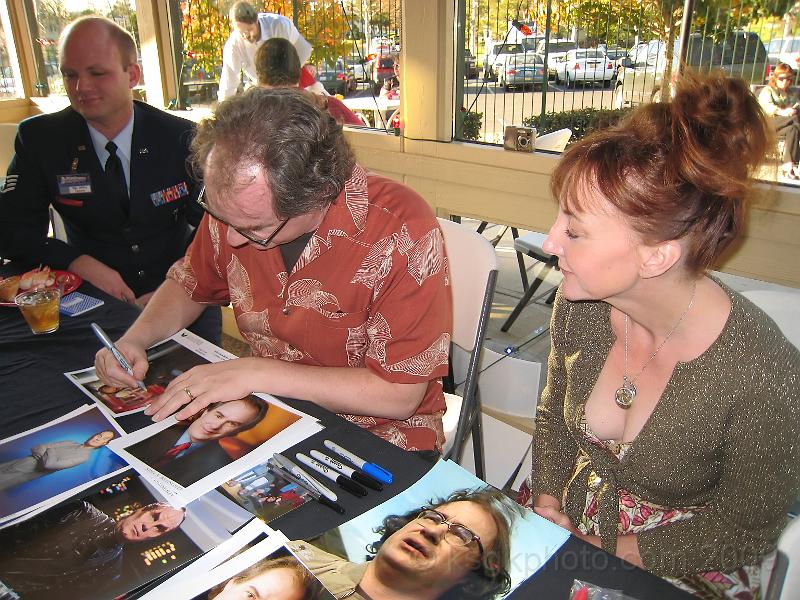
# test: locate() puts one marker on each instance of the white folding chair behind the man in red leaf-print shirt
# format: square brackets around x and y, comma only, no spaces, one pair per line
[473,272]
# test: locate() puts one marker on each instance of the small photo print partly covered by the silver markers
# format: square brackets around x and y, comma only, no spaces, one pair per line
[266,495]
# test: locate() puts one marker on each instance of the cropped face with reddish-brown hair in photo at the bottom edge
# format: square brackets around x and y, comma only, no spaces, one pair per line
[270,579]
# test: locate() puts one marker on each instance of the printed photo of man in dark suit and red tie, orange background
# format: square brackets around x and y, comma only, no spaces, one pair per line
[223,432]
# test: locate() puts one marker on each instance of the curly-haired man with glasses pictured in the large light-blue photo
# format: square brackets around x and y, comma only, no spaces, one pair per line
[458,548]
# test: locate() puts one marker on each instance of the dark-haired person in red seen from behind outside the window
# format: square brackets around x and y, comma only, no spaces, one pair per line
[277,65]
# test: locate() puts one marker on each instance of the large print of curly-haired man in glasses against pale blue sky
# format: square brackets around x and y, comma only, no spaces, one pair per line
[448,536]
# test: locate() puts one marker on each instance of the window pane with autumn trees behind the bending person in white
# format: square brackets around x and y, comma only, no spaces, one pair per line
[355,43]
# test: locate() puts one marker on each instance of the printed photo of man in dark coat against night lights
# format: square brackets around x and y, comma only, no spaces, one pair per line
[105,543]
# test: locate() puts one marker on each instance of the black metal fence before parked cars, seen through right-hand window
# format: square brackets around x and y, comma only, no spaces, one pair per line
[578,63]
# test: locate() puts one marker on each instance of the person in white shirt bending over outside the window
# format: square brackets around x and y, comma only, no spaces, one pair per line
[250,29]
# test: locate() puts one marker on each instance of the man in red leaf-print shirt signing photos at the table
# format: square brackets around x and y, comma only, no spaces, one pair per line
[337,276]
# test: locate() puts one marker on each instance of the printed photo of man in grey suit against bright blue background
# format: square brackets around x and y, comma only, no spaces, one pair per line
[60,456]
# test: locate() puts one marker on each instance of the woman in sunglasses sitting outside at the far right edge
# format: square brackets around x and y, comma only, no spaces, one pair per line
[780,104]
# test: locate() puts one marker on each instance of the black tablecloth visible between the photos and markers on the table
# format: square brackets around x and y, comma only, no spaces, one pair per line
[35,391]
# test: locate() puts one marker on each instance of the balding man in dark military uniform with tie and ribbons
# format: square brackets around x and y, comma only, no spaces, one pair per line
[114,169]
